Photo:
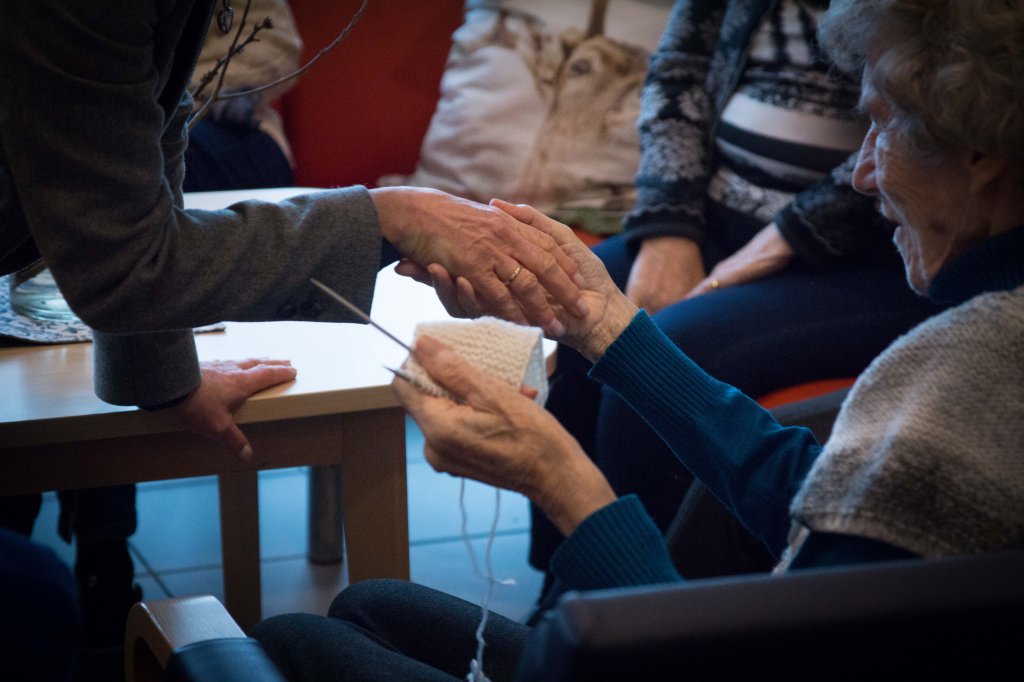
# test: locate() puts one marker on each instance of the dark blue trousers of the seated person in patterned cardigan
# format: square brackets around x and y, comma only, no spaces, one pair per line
[794,327]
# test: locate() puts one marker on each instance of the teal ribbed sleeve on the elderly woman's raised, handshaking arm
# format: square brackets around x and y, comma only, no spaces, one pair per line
[744,456]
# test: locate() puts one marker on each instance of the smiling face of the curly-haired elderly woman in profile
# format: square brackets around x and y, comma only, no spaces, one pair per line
[927,197]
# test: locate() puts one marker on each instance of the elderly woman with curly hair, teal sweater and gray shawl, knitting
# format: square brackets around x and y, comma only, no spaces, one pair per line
[925,457]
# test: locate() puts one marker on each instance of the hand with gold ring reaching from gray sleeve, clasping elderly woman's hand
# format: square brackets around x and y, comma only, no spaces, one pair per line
[486,247]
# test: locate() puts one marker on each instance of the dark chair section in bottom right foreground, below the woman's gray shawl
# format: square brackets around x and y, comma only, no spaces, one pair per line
[955,618]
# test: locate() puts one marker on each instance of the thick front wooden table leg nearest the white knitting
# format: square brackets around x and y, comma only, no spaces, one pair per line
[375,506]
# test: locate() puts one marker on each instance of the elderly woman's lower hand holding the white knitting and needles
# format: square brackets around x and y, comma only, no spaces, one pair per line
[495,435]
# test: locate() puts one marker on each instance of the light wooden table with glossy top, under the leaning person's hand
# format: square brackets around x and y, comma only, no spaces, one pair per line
[56,434]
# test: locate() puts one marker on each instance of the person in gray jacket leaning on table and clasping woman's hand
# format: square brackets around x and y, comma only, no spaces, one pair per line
[94,111]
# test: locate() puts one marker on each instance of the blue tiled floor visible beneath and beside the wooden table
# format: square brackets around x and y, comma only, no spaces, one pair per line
[178,546]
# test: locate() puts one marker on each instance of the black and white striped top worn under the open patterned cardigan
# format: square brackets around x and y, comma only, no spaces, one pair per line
[788,124]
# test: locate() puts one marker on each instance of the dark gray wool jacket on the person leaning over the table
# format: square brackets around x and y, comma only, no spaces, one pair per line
[94,134]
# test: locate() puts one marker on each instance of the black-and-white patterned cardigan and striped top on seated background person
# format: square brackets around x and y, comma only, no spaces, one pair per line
[712,54]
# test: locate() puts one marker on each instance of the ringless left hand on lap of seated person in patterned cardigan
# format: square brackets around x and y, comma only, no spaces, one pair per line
[666,270]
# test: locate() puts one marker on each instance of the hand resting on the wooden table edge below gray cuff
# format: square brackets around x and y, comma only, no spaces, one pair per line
[209,411]
